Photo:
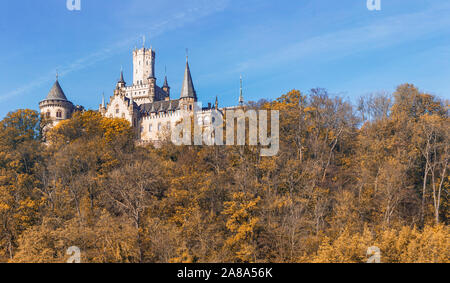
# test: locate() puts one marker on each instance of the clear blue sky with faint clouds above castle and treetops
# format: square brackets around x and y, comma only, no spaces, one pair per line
[276,45]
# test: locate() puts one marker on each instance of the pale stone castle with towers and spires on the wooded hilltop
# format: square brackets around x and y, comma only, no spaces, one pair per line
[149,108]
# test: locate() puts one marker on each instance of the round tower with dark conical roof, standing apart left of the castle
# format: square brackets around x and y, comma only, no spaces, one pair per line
[55,107]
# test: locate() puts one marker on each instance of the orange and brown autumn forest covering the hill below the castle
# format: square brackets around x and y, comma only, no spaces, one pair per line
[348,176]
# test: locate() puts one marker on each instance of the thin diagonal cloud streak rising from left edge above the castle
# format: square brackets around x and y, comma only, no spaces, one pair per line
[202,8]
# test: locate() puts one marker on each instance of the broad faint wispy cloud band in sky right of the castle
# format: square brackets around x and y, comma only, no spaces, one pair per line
[383,33]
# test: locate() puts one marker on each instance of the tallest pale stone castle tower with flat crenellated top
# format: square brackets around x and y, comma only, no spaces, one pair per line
[143,65]
